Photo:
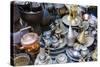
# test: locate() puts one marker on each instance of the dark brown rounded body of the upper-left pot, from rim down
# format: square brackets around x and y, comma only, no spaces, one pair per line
[32,18]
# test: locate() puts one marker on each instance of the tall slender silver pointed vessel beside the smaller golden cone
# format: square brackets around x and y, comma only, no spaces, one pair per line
[71,37]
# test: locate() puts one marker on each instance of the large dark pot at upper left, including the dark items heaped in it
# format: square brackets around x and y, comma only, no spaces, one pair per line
[30,13]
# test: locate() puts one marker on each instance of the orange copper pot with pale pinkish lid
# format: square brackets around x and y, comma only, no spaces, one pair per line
[30,42]
